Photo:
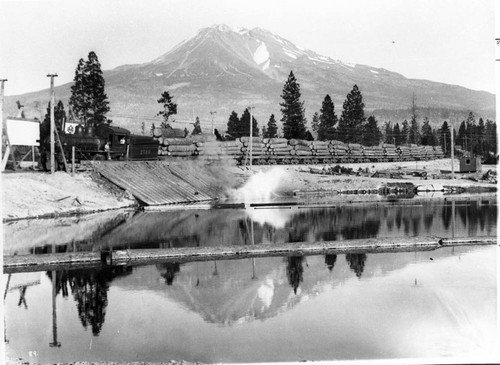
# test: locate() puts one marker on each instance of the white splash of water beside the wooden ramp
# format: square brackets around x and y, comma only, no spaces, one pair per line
[260,187]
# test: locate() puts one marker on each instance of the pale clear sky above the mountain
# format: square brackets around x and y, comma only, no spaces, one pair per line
[450,41]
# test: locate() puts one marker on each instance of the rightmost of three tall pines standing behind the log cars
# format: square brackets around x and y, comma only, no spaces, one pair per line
[353,117]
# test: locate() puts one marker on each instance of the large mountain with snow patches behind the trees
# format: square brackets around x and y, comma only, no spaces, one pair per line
[224,69]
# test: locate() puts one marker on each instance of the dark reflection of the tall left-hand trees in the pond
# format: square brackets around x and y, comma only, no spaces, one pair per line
[90,291]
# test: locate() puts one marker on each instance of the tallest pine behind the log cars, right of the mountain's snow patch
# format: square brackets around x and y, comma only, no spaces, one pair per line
[292,110]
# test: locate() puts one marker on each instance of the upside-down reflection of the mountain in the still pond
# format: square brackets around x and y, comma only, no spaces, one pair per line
[229,292]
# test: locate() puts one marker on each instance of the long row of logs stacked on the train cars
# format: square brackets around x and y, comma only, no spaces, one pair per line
[293,151]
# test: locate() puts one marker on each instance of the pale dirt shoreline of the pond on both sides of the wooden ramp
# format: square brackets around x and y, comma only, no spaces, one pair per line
[38,195]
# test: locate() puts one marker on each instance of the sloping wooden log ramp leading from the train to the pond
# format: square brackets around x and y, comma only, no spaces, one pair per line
[160,182]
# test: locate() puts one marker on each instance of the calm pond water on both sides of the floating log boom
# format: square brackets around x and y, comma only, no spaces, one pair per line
[417,303]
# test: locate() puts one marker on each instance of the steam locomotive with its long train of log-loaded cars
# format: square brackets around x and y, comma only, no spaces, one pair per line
[115,143]
